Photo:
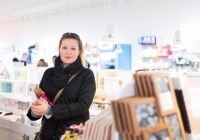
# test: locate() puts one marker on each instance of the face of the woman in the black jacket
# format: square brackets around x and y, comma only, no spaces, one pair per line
[69,51]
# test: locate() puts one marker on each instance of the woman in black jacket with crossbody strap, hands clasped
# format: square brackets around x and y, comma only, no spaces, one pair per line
[73,104]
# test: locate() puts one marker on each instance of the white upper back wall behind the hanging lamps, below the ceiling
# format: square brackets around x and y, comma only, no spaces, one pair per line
[150,17]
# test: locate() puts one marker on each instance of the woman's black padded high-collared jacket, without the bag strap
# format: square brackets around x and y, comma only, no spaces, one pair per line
[72,107]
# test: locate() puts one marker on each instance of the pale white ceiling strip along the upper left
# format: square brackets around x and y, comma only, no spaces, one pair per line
[20,8]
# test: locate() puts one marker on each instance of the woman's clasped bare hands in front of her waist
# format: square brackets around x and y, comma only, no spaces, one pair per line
[39,107]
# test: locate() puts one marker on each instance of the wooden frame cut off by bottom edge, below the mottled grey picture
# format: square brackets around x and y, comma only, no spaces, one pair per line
[161,132]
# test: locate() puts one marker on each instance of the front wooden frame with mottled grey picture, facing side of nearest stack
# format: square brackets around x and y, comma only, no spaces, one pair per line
[144,114]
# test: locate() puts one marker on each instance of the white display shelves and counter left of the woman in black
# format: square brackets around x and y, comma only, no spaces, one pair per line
[15,97]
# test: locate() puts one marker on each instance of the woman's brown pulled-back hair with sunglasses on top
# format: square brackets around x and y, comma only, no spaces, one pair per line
[75,36]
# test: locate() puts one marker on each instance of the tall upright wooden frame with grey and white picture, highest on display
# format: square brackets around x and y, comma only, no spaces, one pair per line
[164,93]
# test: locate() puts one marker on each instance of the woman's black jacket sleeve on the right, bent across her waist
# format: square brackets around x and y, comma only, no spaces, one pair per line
[82,104]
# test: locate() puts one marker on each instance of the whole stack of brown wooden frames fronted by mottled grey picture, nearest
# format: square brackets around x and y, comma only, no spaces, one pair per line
[137,114]
